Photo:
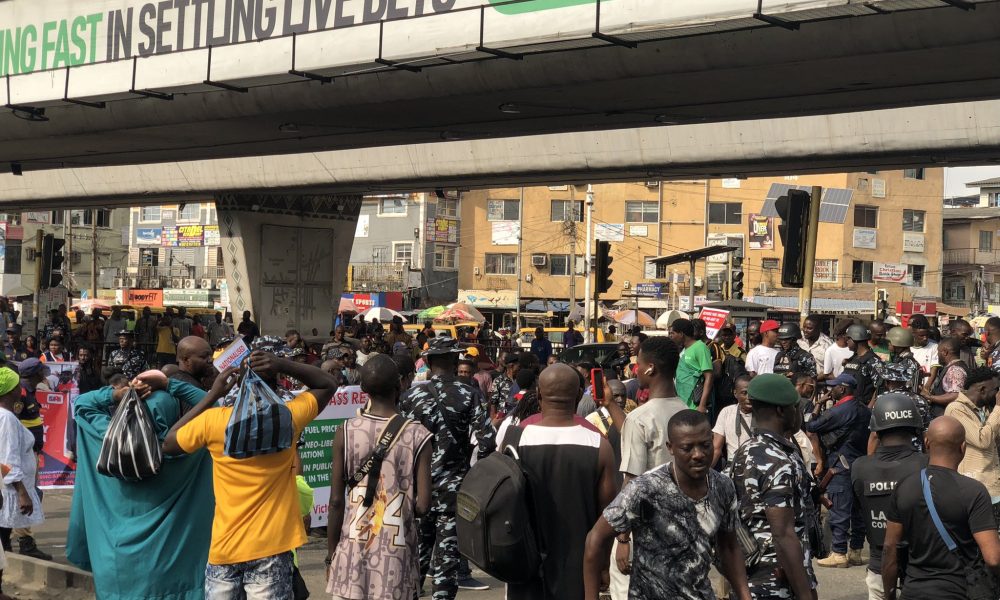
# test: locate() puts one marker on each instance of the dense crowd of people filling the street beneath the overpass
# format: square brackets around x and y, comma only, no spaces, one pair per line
[683,454]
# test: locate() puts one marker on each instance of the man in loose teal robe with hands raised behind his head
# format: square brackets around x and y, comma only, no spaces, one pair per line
[144,539]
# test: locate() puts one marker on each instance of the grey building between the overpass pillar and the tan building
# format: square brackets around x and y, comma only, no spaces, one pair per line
[406,243]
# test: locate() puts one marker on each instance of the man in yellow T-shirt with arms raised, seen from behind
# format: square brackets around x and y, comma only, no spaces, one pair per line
[257,522]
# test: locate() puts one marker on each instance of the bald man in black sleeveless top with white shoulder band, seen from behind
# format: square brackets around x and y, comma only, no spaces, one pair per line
[569,459]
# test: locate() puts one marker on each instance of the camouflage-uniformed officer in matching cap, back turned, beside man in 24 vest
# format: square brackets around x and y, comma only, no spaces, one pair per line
[450,411]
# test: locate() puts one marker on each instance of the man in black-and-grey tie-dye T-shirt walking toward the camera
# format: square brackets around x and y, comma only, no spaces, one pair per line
[677,513]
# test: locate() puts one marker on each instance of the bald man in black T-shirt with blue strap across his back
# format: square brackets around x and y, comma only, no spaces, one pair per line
[964,508]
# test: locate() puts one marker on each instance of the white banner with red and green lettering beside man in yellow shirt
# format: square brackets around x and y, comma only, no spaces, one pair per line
[317,455]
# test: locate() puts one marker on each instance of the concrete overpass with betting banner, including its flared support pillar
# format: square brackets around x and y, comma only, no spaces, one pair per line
[287,110]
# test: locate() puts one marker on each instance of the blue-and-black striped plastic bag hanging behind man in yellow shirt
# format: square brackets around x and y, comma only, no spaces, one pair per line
[260,422]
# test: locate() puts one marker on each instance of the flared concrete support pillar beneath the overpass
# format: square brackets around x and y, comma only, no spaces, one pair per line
[286,257]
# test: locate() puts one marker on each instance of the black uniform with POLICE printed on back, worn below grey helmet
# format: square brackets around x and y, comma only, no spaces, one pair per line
[874,478]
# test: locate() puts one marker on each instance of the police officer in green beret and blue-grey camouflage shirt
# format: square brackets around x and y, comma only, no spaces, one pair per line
[774,489]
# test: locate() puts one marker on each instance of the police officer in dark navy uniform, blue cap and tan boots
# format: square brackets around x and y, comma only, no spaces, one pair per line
[843,432]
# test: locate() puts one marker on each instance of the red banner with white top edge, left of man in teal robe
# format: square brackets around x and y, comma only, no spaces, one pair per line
[56,470]
